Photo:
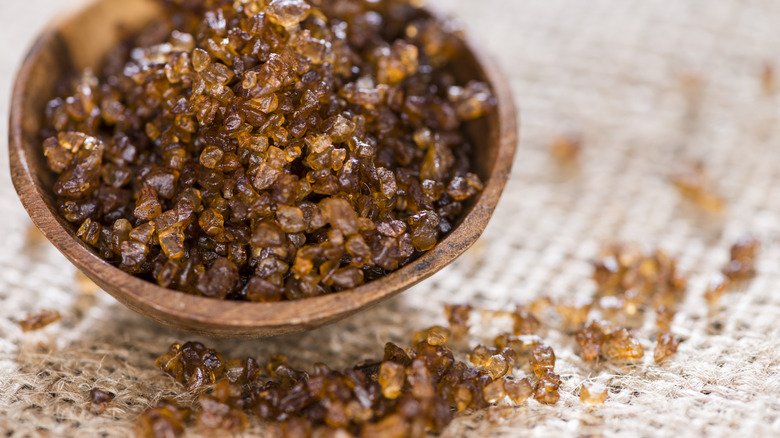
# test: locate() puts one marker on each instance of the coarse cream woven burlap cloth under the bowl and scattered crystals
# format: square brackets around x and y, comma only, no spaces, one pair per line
[650,84]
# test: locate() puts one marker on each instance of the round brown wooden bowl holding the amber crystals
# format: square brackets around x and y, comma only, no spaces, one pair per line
[81,41]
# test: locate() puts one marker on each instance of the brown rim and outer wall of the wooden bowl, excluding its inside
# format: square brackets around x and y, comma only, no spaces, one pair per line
[224,318]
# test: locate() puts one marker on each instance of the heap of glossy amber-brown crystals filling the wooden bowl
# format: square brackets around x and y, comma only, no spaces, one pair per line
[268,150]
